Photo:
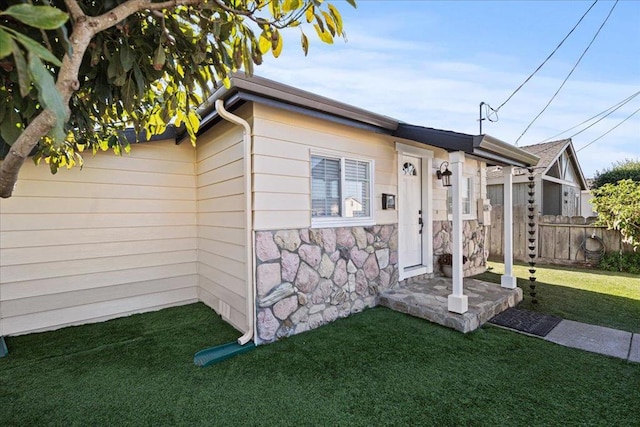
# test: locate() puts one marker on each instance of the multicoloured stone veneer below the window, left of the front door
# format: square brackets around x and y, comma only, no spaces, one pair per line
[309,277]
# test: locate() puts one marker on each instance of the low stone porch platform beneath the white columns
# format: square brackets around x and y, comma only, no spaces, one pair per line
[427,299]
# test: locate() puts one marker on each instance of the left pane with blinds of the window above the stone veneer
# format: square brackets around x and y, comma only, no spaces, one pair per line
[325,187]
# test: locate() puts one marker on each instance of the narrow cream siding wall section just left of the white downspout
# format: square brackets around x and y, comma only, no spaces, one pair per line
[221,221]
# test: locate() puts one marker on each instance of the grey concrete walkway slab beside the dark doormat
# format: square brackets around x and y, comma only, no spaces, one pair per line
[597,339]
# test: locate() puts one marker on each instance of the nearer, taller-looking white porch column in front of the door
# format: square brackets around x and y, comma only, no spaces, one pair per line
[457,301]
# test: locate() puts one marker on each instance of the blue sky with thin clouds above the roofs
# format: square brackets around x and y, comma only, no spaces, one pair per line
[432,63]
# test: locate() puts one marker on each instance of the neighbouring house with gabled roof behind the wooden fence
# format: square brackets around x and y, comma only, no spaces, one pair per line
[558,177]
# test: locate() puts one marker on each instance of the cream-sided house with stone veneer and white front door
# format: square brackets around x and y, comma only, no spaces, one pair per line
[276,219]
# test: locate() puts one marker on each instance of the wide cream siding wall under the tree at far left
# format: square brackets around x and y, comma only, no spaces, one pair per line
[117,237]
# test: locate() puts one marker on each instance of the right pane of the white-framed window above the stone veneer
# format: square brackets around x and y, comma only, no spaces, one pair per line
[357,188]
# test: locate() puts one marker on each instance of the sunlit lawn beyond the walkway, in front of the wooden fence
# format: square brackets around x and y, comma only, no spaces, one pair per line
[591,296]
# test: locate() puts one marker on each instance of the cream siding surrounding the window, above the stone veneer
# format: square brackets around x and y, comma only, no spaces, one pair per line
[283,143]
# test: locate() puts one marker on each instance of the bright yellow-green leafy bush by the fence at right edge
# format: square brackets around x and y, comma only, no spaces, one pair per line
[618,208]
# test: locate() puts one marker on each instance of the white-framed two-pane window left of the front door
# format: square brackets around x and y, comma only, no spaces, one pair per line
[341,191]
